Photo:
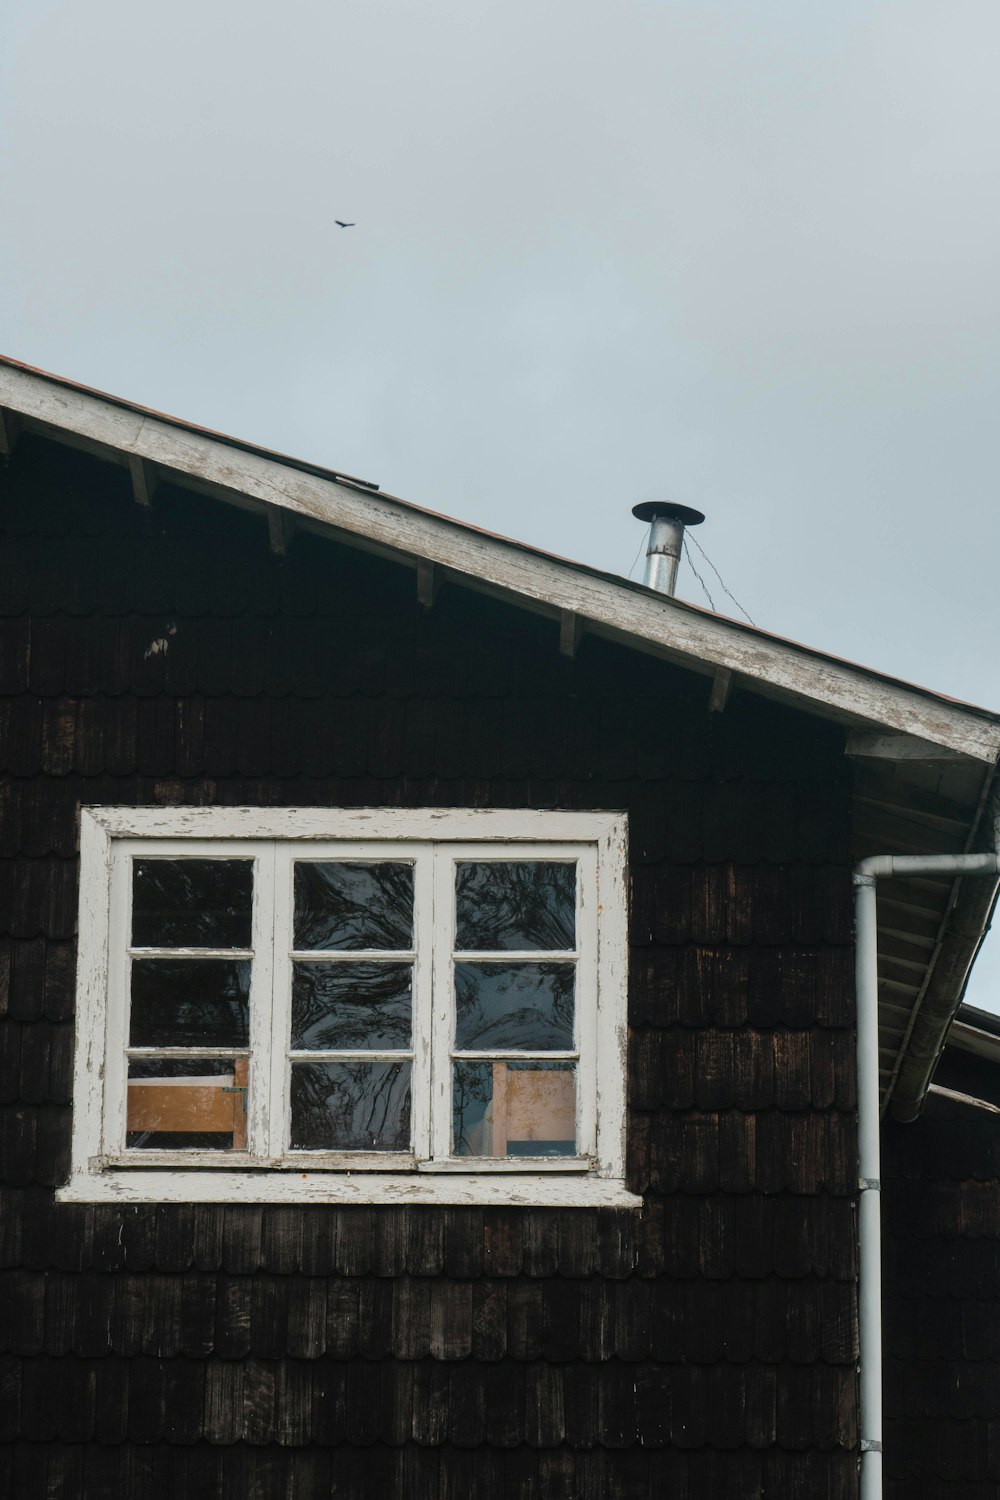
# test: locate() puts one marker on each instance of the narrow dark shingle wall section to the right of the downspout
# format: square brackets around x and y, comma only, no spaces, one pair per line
[942,1303]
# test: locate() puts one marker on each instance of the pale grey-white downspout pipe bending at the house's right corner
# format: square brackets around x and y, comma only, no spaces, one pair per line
[869,1154]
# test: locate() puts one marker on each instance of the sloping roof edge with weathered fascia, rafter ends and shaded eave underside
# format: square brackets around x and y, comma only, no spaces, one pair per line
[926,764]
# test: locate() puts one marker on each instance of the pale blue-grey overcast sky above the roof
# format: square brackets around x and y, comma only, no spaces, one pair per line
[743,254]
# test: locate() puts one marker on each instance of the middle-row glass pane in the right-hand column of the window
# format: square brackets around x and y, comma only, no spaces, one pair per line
[513,1006]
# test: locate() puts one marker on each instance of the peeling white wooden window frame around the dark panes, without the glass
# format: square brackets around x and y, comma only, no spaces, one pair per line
[104,1171]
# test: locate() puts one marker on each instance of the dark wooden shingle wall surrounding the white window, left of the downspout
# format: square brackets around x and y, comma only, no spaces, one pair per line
[704,1348]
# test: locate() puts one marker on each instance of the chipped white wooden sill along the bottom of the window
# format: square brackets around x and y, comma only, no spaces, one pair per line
[543,1190]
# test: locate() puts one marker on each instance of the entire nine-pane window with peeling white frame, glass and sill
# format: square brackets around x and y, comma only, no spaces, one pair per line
[350,1006]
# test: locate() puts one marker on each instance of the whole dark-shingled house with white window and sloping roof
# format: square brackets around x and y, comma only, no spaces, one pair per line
[430,1004]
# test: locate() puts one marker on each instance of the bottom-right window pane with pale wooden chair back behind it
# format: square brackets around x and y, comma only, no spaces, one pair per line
[515,1109]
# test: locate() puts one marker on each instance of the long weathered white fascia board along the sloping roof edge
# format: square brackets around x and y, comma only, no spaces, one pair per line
[642,619]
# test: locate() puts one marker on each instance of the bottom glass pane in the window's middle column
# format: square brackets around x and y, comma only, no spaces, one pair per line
[352,1106]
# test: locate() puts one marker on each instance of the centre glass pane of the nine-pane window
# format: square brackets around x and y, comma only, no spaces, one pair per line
[352,1006]
